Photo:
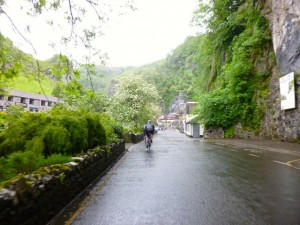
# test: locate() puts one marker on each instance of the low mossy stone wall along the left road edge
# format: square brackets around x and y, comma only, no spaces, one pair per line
[36,198]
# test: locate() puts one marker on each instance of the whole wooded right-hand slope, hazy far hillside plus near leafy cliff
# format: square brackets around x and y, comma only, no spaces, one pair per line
[227,70]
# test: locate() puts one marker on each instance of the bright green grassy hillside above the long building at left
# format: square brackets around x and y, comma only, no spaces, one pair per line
[22,72]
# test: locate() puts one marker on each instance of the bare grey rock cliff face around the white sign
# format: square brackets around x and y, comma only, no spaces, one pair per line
[284,16]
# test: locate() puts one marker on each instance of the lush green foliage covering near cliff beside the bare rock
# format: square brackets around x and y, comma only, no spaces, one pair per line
[234,63]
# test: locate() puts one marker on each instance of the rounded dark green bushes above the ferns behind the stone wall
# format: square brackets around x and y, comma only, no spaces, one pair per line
[61,131]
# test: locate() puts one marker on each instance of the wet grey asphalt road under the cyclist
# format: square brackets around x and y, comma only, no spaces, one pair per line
[187,181]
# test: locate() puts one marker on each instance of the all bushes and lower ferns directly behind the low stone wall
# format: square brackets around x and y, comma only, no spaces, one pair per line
[35,140]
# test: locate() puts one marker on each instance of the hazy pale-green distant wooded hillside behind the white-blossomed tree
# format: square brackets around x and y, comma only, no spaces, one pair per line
[177,73]
